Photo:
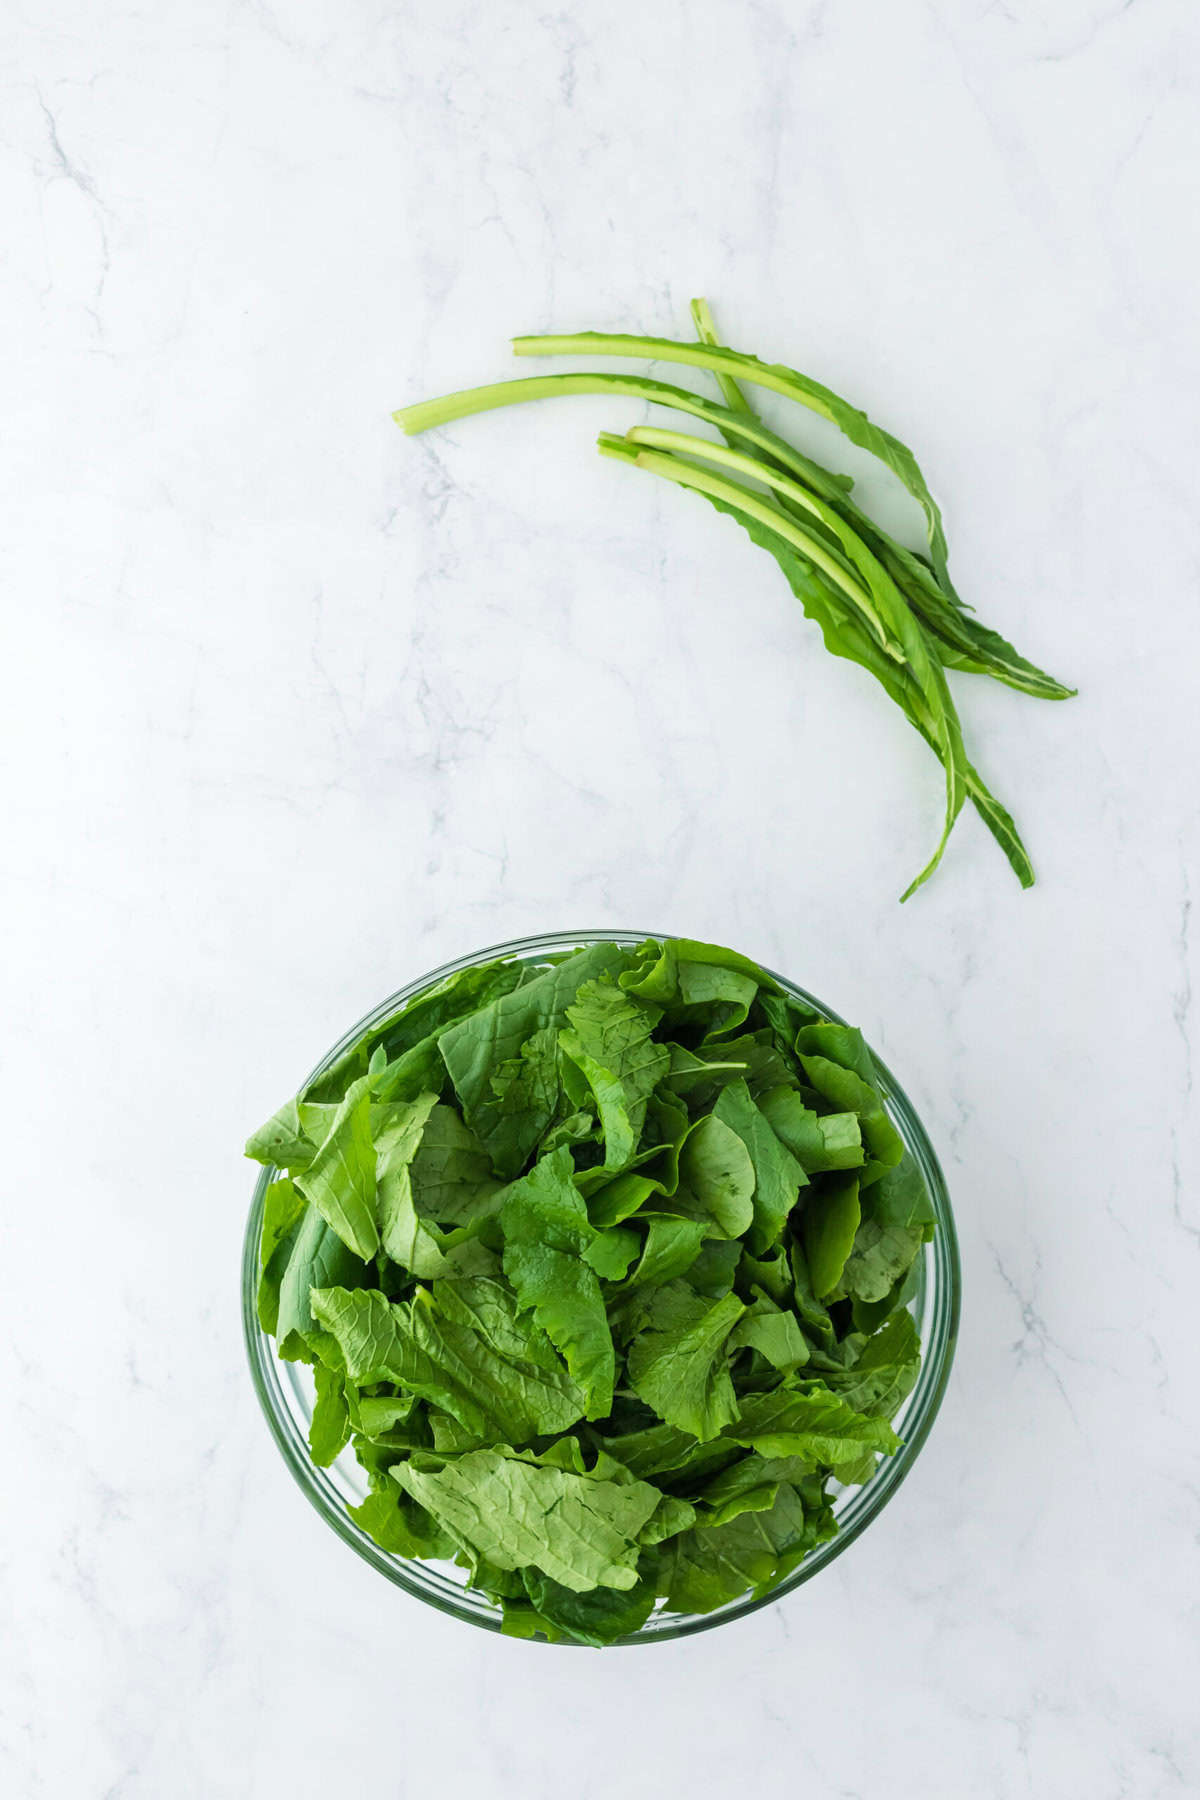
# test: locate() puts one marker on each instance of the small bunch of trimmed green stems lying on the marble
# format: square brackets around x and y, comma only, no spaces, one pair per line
[879,604]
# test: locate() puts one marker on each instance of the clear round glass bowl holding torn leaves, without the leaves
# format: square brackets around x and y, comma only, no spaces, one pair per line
[287,1396]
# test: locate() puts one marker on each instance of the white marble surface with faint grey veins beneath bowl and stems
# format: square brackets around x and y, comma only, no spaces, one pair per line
[298,708]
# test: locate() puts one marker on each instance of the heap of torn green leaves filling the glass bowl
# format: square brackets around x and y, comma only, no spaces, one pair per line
[602,1264]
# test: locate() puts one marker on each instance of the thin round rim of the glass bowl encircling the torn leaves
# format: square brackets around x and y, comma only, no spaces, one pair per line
[924,1405]
